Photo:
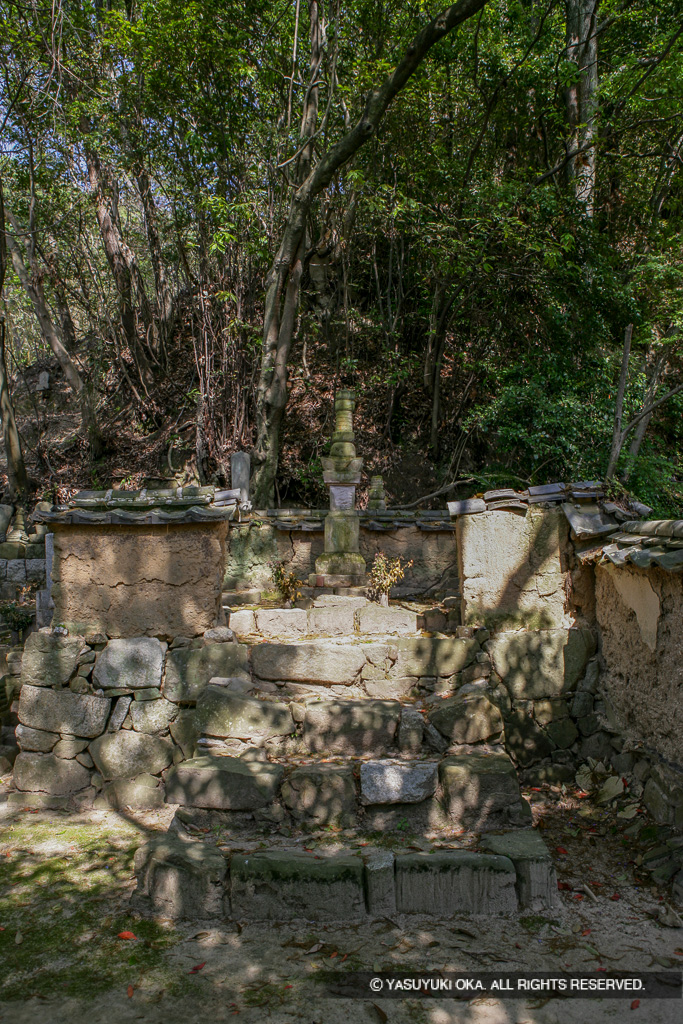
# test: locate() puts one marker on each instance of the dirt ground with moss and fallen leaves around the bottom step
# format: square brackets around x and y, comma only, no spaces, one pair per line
[74,949]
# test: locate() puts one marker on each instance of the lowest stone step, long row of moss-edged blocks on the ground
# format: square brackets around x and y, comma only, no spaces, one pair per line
[193,880]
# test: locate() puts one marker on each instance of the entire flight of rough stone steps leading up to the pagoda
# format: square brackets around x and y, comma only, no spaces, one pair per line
[346,720]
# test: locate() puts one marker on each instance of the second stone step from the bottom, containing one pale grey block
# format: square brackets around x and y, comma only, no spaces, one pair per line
[475,789]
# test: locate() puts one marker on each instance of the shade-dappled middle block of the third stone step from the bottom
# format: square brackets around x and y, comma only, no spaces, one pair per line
[352,727]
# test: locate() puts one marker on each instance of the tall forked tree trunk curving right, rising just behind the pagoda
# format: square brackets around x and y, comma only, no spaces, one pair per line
[285,275]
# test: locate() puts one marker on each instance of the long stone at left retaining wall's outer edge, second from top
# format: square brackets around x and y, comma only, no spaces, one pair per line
[77,714]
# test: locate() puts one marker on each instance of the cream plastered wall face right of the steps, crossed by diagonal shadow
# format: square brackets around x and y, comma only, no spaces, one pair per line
[514,567]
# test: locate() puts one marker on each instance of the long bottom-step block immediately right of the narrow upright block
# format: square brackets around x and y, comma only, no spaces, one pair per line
[455,882]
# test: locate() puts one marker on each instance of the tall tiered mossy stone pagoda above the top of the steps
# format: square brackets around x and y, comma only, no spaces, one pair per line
[343,564]
